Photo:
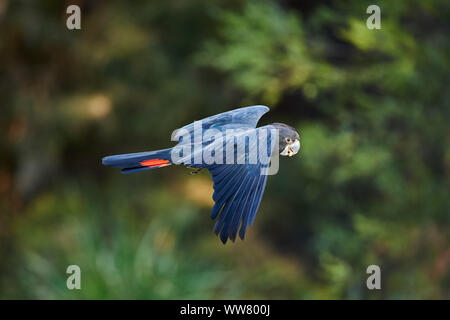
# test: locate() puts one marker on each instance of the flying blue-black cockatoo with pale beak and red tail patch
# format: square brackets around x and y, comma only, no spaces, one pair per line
[236,152]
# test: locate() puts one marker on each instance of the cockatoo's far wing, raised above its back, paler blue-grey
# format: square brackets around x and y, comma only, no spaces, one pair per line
[242,118]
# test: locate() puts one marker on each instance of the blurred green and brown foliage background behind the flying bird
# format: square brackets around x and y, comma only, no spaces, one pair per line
[369,186]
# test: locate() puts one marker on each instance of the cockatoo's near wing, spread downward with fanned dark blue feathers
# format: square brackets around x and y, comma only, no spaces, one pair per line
[238,189]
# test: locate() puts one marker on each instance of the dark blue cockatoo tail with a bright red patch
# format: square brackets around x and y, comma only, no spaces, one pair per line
[134,162]
